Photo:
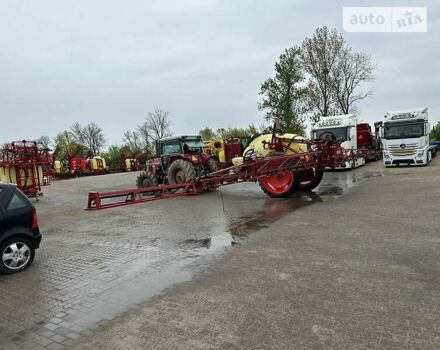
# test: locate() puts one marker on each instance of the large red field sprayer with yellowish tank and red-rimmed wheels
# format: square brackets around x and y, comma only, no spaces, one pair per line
[279,174]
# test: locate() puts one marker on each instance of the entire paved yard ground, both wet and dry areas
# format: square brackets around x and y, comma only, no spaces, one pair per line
[308,272]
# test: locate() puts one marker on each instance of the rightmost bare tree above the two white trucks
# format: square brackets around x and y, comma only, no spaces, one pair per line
[352,69]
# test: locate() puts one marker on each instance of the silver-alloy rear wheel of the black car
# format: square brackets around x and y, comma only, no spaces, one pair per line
[16,255]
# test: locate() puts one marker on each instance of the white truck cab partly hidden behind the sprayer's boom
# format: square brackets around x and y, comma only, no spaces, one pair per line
[342,128]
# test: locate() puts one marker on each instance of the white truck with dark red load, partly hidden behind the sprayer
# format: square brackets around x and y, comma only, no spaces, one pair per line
[352,135]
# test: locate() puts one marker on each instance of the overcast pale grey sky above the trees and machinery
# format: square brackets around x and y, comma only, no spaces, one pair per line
[111,62]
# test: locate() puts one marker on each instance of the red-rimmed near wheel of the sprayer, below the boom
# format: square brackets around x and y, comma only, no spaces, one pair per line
[281,185]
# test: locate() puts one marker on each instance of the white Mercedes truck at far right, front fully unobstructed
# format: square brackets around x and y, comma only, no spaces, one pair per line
[406,138]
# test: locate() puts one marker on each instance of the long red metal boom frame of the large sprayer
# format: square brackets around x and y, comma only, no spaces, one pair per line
[322,154]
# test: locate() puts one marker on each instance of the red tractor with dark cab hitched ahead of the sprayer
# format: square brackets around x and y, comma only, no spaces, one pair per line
[179,159]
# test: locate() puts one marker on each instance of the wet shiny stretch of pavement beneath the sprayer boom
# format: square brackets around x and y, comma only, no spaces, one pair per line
[94,266]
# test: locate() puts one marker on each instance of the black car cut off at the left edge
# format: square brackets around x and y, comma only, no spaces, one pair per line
[19,231]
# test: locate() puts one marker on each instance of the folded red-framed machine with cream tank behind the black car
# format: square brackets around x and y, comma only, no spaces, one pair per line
[22,163]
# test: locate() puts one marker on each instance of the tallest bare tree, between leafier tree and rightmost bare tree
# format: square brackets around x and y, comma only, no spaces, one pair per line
[319,56]
